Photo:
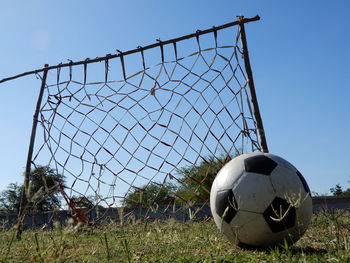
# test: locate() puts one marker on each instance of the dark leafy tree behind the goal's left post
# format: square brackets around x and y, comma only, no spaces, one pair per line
[43,194]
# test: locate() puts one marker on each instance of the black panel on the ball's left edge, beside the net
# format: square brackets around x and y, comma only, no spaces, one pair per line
[226,205]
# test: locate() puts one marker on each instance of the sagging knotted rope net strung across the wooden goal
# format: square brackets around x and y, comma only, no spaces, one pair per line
[146,131]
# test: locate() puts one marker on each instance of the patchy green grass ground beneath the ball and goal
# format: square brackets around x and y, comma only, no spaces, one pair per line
[327,240]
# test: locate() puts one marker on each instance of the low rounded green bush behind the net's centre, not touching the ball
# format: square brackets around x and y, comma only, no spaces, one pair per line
[151,195]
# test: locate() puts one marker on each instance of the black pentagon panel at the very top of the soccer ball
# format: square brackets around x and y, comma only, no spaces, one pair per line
[260,164]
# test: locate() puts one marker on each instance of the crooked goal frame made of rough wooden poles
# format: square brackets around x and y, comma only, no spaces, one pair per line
[254,101]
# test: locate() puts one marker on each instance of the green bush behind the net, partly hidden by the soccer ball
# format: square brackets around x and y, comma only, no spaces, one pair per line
[196,180]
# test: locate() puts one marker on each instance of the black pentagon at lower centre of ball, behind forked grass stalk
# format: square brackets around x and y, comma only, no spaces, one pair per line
[278,217]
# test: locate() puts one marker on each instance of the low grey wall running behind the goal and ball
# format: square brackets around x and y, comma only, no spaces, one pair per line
[131,214]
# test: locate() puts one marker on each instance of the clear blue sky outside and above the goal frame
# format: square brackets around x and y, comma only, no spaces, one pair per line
[299,52]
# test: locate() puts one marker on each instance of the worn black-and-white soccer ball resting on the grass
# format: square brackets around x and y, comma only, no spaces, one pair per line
[260,200]
